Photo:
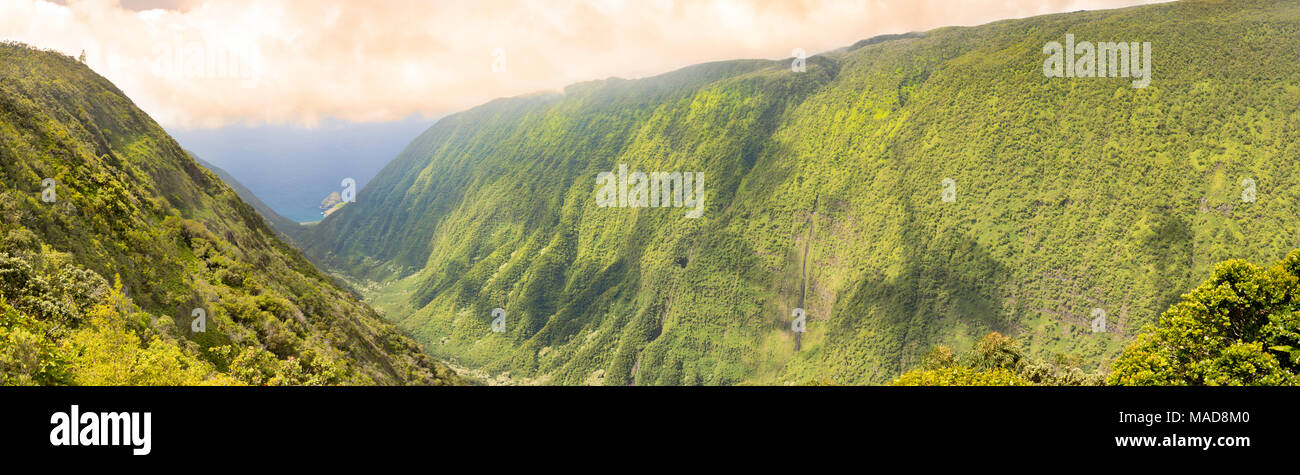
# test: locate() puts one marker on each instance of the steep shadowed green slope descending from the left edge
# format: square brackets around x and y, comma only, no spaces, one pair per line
[129,202]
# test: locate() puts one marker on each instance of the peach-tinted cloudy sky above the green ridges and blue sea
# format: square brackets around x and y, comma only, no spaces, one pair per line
[216,63]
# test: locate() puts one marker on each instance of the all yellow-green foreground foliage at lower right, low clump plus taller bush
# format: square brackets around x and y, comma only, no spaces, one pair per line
[1237,329]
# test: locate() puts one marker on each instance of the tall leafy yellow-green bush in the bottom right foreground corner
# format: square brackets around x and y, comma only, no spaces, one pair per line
[1241,327]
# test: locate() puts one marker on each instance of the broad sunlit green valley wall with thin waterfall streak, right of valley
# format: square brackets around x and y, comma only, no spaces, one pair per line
[824,191]
